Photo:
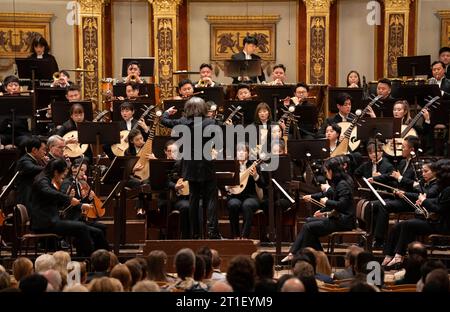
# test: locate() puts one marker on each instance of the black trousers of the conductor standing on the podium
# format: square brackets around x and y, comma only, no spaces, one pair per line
[207,190]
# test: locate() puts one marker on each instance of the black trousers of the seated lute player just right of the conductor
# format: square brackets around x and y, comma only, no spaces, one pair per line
[247,206]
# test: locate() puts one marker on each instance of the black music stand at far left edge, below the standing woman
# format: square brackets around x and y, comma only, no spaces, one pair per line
[16,107]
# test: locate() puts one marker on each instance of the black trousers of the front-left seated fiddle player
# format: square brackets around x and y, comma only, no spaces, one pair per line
[88,238]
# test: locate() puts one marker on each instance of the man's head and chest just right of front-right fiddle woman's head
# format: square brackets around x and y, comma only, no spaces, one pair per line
[377,163]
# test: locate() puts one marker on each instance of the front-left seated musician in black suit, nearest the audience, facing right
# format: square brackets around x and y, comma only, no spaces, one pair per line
[47,199]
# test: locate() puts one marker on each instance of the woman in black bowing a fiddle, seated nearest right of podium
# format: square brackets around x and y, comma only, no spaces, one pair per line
[340,207]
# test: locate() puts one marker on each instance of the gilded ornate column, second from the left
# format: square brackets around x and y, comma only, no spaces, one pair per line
[165,13]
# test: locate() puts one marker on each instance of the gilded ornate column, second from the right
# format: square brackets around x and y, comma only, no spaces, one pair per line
[317,40]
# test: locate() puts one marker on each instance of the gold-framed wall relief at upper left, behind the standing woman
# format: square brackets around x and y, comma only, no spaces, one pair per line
[17,31]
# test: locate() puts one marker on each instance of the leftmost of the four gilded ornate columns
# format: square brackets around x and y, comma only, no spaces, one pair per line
[90,47]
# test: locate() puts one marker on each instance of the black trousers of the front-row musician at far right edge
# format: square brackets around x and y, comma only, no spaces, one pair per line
[406,232]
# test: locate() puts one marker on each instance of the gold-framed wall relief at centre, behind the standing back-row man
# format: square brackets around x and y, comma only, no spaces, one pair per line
[228,32]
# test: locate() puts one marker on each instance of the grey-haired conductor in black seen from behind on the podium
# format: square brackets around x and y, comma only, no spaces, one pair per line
[198,169]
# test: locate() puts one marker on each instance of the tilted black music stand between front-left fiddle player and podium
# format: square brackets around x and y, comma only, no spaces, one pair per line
[120,167]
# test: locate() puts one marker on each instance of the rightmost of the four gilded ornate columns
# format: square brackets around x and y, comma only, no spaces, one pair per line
[396,27]
